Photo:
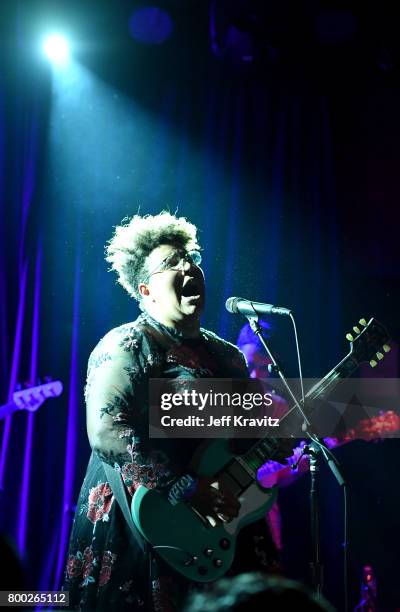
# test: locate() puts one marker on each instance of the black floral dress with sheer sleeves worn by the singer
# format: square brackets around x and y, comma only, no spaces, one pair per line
[106,569]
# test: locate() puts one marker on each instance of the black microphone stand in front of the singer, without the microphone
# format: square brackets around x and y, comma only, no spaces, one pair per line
[315,449]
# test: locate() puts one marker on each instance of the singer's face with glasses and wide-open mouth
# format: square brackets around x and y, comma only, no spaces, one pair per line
[178,293]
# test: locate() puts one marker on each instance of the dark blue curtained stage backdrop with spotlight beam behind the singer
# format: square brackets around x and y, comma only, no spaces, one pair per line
[279,140]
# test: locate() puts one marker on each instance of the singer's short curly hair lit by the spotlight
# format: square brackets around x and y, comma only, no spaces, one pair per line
[136,238]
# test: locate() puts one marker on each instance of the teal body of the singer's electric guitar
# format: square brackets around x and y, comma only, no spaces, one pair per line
[187,541]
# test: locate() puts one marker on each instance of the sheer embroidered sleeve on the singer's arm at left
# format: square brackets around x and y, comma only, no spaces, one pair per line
[116,395]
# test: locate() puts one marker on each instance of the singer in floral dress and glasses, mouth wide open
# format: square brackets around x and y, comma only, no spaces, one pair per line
[157,260]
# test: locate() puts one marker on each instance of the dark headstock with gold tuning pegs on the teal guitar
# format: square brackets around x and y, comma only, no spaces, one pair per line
[368,342]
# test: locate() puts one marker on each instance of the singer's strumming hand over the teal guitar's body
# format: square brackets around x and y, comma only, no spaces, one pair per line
[214,501]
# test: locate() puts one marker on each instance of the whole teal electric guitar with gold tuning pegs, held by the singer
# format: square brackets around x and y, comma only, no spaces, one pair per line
[188,541]
